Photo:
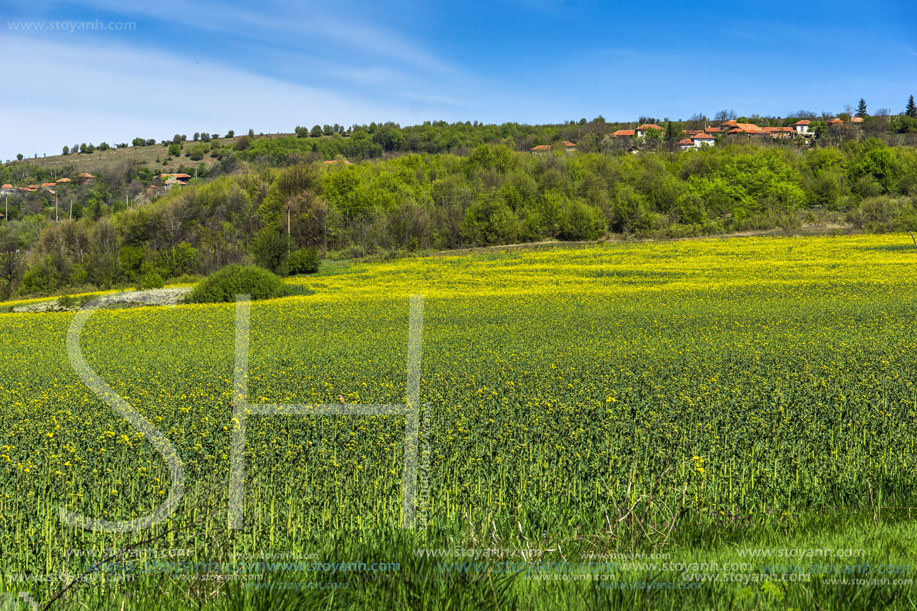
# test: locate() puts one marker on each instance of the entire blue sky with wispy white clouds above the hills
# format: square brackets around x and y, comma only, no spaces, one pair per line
[157,68]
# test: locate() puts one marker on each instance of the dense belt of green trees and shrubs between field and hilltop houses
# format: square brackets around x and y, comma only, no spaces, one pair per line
[265,199]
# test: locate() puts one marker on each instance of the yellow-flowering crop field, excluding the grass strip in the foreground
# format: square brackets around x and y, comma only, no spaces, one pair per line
[750,378]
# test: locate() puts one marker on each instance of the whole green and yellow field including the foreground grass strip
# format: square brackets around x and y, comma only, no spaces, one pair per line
[717,402]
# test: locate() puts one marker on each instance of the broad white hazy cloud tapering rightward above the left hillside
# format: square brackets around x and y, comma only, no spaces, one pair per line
[80,93]
